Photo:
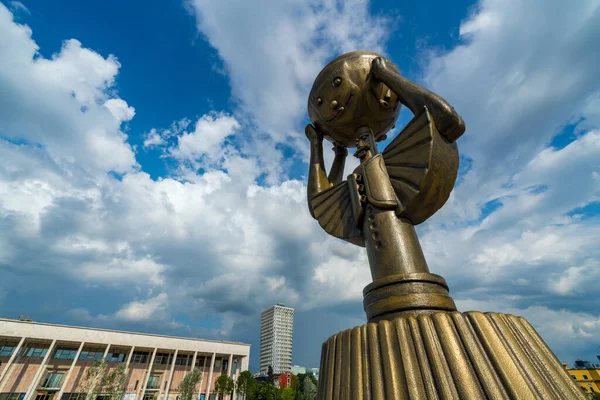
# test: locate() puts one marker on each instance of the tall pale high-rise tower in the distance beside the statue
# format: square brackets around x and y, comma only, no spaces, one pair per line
[276,336]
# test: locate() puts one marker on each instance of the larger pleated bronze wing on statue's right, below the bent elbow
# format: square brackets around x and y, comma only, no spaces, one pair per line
[422,166]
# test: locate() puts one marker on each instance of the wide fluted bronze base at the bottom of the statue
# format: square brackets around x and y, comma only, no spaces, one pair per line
[442,355]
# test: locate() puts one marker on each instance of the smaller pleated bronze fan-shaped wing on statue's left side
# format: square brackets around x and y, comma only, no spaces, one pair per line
[336,212]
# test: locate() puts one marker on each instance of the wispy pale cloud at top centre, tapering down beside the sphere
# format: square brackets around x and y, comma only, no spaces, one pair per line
[285,44]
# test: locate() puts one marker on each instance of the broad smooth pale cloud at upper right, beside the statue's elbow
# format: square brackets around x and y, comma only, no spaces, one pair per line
[522,72]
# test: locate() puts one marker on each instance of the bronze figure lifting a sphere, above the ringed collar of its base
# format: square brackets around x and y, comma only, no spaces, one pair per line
[391,191]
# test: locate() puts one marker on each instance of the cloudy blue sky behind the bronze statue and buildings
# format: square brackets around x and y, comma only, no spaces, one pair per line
[153,163]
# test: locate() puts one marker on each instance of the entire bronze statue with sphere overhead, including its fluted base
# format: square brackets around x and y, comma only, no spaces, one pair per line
[415,345]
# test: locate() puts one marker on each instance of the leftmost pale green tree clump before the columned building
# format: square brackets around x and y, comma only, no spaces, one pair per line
[101,379]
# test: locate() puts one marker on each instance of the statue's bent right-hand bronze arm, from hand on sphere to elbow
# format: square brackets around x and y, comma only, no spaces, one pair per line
[414,96]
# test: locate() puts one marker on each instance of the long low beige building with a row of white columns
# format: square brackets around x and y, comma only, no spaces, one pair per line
[41,361]
